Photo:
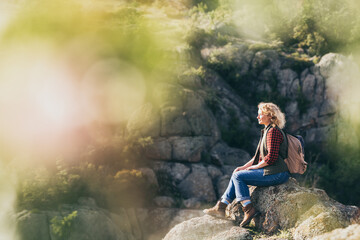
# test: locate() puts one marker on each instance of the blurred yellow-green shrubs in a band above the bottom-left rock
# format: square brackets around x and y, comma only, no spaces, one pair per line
[48,189]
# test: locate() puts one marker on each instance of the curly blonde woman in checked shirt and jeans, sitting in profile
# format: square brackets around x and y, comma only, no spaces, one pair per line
[266,168]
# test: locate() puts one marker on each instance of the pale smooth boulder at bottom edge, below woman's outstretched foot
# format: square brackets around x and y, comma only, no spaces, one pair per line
[207,228]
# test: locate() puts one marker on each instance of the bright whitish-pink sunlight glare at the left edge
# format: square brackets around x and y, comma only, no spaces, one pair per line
[37,96]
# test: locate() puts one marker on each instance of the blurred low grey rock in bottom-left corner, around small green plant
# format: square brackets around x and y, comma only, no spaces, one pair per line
[89,224]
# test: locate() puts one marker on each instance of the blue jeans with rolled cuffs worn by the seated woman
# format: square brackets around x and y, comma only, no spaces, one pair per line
[238,189]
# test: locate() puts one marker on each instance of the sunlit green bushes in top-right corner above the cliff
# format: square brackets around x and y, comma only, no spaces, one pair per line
[324,26]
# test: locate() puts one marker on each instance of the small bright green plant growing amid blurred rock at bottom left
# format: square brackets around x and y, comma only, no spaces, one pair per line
[61,227]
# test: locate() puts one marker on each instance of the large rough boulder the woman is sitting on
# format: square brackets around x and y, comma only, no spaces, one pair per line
[307,212]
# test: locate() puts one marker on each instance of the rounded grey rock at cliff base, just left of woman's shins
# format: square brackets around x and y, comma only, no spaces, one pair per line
[198,184]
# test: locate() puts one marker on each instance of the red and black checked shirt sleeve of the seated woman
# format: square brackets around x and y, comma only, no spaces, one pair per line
[273,140]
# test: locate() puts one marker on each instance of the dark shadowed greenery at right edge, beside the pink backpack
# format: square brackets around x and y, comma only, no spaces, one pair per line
[336,169]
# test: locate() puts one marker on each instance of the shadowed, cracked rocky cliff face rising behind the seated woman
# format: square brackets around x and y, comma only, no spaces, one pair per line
[191,120]
